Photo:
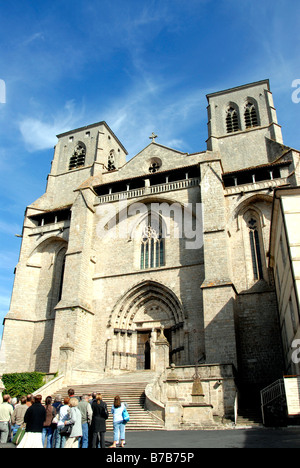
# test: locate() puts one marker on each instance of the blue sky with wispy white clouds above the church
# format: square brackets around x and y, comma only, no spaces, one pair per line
[140,65]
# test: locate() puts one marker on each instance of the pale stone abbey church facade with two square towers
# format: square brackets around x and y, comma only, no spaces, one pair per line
[164,259]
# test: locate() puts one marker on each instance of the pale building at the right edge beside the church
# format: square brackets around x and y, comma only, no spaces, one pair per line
[285,261]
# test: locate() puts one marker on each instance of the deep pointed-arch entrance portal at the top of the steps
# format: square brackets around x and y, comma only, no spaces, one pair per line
[148,329]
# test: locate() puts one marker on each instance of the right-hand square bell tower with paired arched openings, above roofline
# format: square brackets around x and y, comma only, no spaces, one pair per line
[241,122]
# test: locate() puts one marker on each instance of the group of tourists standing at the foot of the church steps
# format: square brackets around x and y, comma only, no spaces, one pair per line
[74,422]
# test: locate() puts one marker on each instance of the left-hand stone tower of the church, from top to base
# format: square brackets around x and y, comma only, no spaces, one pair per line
[45,254]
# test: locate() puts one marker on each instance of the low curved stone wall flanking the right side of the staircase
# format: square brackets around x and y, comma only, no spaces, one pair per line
[171,394]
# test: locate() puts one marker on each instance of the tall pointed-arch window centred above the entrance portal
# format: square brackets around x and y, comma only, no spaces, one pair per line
[152,246]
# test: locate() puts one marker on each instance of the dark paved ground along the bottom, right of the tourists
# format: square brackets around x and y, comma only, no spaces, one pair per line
[238,438]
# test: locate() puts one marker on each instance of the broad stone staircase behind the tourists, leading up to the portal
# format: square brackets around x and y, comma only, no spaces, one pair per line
[131,389]
